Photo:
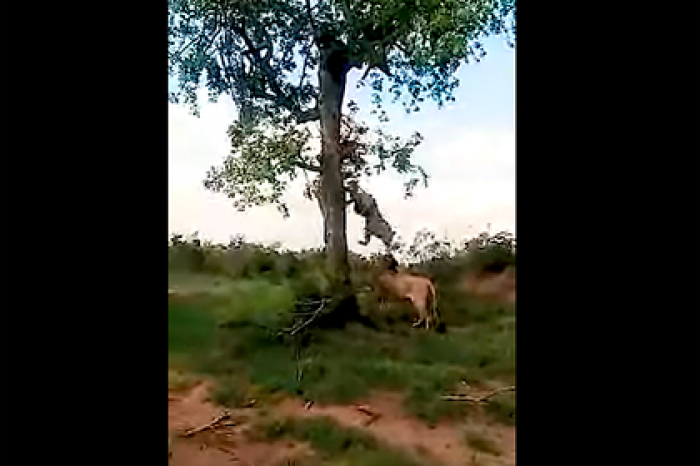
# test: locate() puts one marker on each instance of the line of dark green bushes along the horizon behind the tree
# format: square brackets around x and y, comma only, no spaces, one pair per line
[303,273]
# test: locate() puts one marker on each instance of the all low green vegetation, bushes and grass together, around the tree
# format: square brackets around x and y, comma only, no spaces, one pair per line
[232,303]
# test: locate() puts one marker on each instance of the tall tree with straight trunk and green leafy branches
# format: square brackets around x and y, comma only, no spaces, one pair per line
[264,54]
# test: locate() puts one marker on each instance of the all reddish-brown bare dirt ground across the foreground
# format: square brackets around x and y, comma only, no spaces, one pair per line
[380,415]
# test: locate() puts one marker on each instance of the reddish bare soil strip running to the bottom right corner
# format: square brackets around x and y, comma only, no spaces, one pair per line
[383,416]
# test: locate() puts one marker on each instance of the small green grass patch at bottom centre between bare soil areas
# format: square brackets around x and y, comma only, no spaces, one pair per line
[336,445]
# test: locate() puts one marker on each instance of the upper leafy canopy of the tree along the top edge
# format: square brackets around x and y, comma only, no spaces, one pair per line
[252,50]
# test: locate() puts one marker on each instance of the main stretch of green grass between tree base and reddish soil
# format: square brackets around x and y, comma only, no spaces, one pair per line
[340,366]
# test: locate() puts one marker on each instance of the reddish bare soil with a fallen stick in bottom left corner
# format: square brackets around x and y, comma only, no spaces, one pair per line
[226,443]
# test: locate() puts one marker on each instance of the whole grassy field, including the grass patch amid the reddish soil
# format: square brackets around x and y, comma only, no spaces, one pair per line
[226,328]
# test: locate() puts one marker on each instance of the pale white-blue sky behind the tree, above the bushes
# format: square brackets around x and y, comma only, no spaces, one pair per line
[468,151]
